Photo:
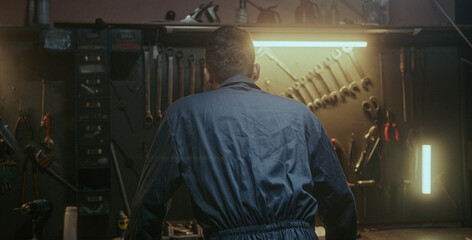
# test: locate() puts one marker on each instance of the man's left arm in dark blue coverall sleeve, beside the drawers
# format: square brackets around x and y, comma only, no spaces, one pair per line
[159,179]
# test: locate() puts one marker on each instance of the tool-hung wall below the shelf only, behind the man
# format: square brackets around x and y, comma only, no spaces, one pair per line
[391,199]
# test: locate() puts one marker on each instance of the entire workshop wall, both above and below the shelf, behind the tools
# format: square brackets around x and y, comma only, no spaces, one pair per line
[433,113]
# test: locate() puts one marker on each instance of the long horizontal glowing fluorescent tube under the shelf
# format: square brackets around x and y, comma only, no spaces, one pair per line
[309,44]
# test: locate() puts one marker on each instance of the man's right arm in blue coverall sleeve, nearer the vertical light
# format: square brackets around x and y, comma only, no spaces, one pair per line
[337,206]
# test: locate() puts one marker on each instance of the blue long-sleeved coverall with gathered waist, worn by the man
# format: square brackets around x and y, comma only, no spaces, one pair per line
[256,166]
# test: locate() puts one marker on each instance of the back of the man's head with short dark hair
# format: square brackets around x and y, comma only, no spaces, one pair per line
[230,52]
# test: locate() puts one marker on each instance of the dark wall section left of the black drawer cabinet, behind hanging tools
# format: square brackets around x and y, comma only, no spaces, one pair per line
[22,67]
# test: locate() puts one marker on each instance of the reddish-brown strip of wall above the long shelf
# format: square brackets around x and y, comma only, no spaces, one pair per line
[402,12]
